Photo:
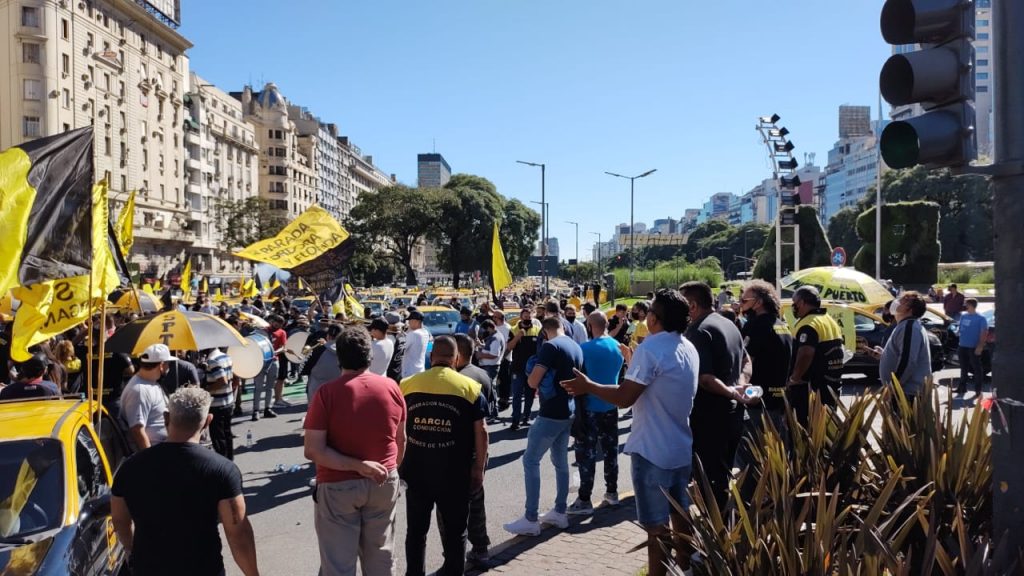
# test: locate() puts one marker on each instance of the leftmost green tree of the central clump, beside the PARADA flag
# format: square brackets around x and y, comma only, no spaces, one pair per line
[395,220]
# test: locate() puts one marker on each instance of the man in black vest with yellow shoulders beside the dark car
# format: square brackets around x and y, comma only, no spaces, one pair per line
[818,354]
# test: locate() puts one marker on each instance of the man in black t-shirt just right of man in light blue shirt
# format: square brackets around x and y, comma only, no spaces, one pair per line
[717,420]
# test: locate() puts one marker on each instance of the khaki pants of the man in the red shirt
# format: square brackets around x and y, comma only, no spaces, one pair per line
[356,519]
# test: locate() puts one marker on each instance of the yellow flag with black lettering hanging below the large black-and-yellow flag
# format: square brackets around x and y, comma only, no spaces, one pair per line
[52,308]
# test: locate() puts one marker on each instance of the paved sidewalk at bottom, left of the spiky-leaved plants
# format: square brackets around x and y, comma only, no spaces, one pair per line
[593,546]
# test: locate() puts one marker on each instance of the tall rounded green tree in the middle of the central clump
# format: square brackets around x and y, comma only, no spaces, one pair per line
[463,223]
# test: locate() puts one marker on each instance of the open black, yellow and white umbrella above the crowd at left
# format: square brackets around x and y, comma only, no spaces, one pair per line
[179,331]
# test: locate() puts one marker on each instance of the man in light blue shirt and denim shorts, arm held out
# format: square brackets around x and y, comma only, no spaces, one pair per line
[660,386]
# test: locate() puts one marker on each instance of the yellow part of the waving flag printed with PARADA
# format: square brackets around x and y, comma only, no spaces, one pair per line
[307,238]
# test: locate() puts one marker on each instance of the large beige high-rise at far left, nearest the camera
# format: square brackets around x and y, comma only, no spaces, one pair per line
[119,66]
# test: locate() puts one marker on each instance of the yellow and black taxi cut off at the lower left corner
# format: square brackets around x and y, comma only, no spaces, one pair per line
[56,477]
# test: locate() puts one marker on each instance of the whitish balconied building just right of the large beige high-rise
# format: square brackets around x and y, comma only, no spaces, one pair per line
[222,164]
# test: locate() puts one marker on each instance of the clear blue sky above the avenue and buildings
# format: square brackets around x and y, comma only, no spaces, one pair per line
[582,86]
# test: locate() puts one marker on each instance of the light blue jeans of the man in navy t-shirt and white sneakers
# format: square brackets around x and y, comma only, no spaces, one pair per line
[547,434]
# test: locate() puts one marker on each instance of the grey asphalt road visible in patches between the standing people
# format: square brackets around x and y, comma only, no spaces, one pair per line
[281,508]
